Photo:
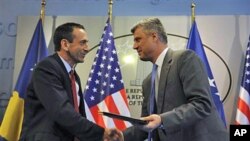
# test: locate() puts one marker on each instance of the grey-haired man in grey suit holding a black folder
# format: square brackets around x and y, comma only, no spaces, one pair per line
[184,110]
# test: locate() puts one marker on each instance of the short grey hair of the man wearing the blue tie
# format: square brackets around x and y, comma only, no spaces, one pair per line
[150,25]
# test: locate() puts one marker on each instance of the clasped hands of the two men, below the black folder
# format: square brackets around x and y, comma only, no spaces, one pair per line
[112,134]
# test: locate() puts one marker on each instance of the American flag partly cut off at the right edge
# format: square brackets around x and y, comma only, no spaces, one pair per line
[243,107]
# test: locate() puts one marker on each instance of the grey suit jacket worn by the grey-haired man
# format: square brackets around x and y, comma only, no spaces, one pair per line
[184,102]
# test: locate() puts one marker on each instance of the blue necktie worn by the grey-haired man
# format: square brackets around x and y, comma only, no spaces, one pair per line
[152,95]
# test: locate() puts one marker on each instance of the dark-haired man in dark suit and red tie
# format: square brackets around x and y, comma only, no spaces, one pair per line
[51,111]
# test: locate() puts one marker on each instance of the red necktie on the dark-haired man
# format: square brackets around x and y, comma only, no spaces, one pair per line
[73,87]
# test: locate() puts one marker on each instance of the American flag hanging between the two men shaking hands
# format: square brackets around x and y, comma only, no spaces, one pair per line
[105,90]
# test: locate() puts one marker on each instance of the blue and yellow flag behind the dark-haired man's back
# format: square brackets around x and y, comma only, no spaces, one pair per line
[13,118]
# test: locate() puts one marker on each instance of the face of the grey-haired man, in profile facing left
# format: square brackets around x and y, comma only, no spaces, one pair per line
[144,44]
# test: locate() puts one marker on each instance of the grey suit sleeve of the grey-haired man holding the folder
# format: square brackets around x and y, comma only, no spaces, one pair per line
[194,91]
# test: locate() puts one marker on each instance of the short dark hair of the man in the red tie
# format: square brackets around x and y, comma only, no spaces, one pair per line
[64,31]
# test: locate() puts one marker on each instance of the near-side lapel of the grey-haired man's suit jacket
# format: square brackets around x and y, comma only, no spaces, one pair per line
[163,80]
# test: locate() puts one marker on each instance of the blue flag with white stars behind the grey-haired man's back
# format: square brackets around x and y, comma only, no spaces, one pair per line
[195,44]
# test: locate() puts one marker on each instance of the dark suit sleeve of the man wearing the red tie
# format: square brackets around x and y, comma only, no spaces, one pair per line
[50,88]
